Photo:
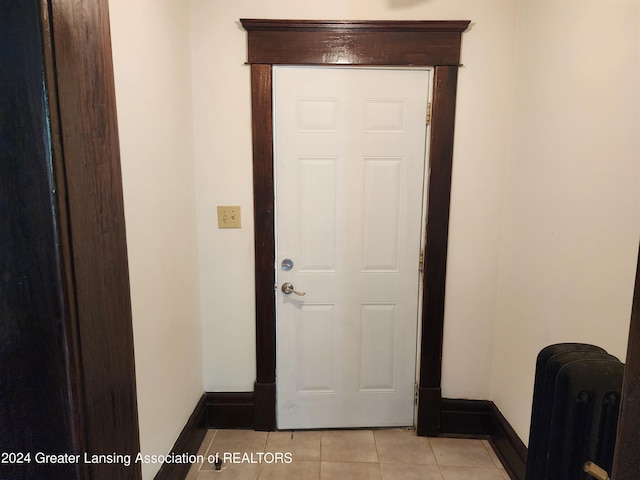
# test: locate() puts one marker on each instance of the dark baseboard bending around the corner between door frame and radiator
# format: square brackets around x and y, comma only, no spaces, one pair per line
[482,418]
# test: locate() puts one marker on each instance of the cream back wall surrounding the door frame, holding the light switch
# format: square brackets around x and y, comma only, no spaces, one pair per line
[223,156]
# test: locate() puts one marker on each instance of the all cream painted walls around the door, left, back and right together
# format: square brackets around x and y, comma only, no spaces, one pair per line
[545,201]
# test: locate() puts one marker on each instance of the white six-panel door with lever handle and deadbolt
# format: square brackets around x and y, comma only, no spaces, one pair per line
[350,157]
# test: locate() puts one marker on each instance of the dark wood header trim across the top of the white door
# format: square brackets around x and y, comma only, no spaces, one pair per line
[354,42]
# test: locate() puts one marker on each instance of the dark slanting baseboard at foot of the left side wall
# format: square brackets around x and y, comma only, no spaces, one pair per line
[188,442]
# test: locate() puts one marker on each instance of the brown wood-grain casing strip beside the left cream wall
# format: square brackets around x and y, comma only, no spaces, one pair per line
[94,252]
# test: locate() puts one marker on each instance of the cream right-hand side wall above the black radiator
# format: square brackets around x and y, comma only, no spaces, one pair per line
[572,210]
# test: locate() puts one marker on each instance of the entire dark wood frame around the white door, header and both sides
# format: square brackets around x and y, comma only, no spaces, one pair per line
[365,43]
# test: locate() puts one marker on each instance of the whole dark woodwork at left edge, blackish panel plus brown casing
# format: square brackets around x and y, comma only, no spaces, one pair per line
[67,360]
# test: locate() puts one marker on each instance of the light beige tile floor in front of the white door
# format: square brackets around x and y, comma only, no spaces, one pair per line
[390,454]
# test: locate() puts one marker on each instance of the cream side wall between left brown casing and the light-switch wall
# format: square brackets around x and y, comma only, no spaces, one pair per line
[151,53]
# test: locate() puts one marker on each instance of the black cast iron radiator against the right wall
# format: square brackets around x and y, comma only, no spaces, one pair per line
[576,400]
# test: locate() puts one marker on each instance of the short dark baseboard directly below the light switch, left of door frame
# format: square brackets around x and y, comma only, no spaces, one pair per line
[230,410]
